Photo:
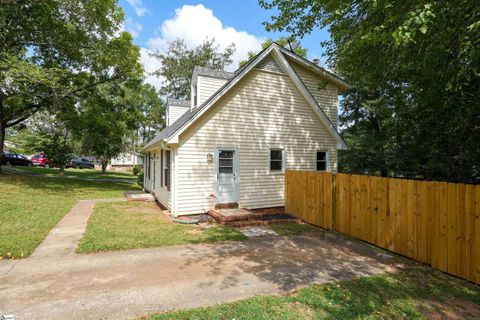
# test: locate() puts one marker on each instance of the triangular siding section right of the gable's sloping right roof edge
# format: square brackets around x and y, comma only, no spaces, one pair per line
[326,96]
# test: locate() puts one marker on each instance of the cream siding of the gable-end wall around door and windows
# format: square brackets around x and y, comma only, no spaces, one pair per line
[264,110]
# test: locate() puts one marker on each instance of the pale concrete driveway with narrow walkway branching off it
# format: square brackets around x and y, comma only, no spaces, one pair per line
[55,283]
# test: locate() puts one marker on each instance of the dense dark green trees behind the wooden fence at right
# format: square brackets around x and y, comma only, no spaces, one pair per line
[415,68]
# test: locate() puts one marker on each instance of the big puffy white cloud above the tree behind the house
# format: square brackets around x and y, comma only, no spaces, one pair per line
[196,23]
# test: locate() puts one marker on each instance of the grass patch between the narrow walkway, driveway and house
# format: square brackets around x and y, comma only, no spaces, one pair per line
[129,225]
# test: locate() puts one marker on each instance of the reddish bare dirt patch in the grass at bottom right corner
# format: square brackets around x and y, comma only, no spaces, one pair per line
[451,309]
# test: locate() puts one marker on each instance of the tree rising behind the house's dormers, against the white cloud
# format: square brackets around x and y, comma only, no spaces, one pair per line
[178,63]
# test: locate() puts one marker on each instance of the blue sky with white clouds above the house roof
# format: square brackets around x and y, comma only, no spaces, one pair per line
[155,22]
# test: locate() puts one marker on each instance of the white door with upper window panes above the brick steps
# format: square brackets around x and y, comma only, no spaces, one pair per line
[227,177]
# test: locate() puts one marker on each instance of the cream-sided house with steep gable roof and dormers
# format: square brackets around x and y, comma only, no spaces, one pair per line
[230,145]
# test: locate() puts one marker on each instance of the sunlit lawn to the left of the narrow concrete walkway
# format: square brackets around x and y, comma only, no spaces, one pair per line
[30,206]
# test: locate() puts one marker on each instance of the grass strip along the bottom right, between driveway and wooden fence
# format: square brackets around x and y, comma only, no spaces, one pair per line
[414,293]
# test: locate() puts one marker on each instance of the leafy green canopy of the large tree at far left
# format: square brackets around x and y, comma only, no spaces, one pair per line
[51,50]
